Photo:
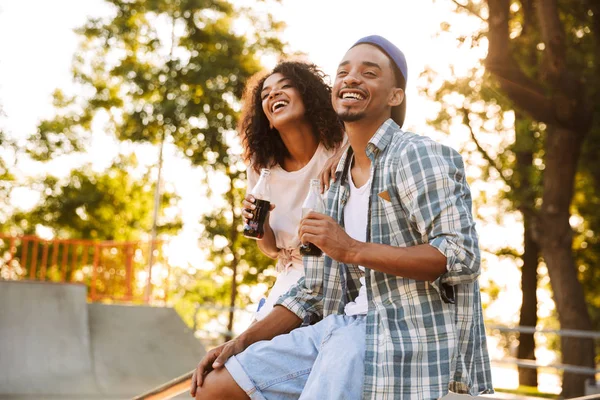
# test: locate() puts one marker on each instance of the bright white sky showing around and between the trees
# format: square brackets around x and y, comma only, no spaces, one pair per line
[37,44]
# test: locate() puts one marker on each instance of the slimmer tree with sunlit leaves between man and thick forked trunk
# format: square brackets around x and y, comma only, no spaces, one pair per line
[509,162]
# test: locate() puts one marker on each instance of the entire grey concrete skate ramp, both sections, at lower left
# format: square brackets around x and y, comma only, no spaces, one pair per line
[53,345]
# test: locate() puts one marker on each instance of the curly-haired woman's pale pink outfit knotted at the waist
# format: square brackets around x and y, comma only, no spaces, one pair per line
[288,191]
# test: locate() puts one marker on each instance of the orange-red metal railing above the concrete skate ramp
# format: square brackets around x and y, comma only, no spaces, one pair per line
[112,270]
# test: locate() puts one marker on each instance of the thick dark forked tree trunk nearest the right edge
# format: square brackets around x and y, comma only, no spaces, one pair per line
[557,98]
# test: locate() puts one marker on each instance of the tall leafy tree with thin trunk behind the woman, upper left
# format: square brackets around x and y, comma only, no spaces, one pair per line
[166,70]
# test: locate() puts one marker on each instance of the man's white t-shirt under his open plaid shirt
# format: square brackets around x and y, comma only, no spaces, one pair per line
[355,221]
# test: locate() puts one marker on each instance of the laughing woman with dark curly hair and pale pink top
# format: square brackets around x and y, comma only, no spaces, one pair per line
[289,126]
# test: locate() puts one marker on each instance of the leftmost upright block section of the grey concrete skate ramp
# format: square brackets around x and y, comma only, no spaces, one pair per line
[44,340]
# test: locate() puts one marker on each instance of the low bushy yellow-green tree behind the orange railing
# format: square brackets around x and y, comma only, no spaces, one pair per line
[111,205]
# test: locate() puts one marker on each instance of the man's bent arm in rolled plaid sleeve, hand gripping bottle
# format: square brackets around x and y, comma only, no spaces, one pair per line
[432,188]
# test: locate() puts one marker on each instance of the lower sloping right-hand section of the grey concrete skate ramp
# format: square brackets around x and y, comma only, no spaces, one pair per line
[138,348]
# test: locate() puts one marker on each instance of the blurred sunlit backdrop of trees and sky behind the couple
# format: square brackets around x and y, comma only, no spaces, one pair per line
[140,142]
